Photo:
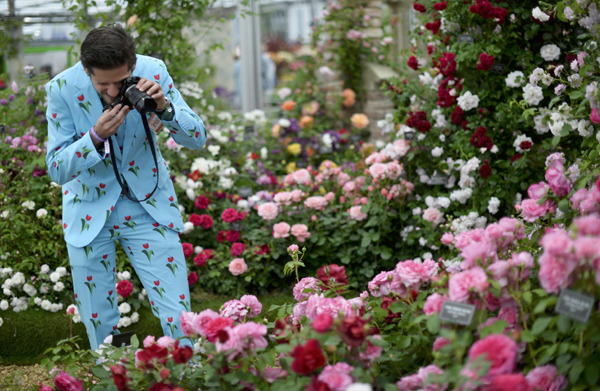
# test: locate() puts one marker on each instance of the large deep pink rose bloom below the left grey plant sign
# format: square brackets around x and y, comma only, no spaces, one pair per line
[500,350]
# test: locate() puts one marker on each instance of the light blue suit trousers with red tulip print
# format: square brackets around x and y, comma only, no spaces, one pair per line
[156,255]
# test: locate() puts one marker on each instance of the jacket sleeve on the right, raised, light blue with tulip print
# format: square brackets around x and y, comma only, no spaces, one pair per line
[186,127]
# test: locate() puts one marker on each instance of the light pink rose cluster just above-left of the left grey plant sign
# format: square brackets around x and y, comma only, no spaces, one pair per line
[407,276]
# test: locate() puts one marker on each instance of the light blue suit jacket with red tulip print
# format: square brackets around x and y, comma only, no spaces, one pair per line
[89,186]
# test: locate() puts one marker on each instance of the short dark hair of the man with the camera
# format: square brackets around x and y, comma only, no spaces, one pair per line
[107,47]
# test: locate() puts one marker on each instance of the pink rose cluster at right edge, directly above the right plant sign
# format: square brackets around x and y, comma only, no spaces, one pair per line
[568,255]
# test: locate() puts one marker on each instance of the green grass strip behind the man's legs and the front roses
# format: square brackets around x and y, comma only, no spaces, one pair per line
[27,334]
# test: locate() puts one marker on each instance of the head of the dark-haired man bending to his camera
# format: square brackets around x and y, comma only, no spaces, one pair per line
[108,57]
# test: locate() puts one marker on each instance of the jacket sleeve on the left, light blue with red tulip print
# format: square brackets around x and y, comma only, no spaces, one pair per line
[68,155]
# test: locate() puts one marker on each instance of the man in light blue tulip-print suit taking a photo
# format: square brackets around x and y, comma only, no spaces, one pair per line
[96,208]
